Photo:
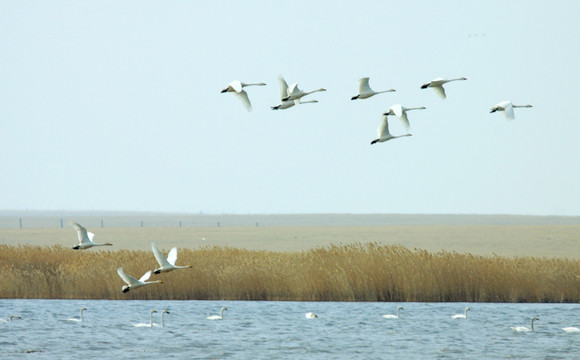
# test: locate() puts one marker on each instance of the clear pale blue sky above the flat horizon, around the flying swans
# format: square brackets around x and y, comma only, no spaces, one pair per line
[116,105]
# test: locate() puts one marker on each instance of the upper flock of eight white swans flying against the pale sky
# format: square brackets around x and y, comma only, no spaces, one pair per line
[292,96]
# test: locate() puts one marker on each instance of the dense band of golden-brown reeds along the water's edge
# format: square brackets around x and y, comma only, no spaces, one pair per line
[357,272]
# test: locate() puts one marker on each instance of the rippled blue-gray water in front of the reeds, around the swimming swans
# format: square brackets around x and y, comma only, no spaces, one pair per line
[279,330]
